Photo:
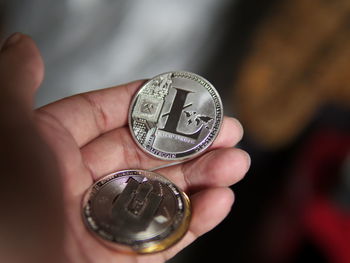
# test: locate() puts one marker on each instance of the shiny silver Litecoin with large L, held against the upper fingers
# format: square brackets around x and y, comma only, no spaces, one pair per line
[175,115]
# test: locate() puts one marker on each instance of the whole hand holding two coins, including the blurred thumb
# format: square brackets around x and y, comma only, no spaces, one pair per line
[85,137]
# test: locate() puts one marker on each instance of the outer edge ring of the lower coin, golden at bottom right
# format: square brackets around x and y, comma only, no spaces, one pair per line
[153,245]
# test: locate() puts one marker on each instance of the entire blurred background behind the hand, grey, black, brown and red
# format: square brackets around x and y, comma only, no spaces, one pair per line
[281,67]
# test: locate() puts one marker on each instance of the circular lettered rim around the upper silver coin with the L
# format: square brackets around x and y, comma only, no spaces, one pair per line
[198,149]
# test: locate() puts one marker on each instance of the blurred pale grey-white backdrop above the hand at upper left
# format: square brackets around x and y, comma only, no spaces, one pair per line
[91,44]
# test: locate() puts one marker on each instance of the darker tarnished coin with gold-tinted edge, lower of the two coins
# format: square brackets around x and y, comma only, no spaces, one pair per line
[136,211]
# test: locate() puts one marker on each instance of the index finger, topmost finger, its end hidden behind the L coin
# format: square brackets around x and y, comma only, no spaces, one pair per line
[87,115]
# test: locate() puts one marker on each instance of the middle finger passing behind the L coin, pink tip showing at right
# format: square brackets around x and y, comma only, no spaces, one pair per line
[116,150]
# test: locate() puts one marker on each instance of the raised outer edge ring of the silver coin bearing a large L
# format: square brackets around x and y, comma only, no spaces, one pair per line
[197,150]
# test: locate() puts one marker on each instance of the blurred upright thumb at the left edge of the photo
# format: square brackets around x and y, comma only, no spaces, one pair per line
[21,69]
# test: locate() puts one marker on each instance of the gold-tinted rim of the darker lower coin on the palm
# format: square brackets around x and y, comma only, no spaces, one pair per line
[149,246]
